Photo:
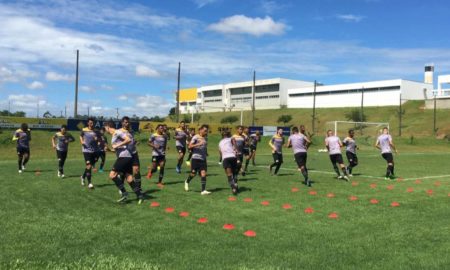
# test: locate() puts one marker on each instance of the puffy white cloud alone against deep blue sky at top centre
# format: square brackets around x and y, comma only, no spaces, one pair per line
[241,24]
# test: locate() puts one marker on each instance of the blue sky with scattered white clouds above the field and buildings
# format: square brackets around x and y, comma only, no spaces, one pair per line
[129,50]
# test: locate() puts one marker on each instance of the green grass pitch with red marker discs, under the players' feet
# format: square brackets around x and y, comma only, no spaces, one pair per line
[48,223]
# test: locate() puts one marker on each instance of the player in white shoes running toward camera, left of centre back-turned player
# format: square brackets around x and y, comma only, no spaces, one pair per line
[199,146]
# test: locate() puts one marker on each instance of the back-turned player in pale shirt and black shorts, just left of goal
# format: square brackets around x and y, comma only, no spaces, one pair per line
[299,143]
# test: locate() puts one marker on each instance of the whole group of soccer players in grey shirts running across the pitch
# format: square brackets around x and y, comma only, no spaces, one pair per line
[233,151]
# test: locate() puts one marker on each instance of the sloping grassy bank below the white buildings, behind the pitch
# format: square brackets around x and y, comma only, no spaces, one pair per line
[417,121]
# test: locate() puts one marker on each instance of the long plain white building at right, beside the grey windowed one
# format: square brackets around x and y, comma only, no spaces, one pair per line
[375,93]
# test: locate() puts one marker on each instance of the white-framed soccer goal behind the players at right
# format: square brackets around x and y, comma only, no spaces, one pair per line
[363,128]
